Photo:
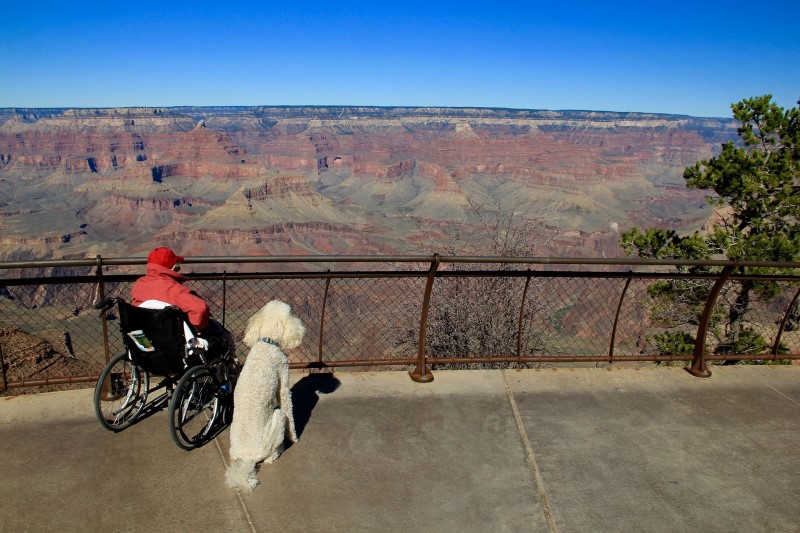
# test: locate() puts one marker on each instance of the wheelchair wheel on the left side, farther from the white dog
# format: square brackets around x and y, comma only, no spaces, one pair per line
[120,393]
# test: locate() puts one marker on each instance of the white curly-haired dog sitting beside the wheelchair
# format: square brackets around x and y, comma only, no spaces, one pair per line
[262,402]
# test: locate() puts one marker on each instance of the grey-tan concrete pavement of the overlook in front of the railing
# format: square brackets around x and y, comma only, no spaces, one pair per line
[650,449]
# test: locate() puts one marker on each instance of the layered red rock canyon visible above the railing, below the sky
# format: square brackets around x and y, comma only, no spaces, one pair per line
[243,181]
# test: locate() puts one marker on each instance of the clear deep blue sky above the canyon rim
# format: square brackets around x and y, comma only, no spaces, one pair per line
[694,57]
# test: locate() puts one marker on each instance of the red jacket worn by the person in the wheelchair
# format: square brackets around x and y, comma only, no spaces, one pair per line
[161,283]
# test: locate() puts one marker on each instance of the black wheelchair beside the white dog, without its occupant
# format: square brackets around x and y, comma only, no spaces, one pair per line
[199,375]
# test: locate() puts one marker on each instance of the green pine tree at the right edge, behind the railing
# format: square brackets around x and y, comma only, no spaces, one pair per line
[754,185]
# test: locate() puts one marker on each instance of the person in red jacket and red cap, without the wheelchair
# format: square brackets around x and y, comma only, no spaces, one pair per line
[163,285]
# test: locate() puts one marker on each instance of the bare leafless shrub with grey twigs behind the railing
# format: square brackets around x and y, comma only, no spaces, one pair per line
[474,314]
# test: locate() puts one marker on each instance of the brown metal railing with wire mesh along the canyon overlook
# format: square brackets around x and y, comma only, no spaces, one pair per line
[415,312]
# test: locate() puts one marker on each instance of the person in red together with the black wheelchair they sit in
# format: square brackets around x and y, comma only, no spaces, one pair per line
[168,332]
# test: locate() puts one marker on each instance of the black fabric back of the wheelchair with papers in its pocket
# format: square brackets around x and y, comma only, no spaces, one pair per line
[155,338]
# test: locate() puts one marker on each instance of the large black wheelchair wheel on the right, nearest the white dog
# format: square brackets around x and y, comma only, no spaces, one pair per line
[194,408]
